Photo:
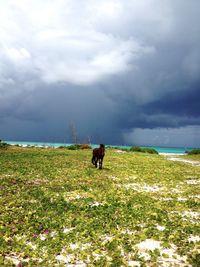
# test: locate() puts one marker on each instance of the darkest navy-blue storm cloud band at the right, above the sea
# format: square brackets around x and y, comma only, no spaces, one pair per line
[174,109]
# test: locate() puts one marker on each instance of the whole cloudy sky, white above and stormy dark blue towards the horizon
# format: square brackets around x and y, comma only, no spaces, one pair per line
[123,72]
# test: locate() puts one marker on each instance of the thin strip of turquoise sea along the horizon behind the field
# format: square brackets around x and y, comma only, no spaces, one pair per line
[175,150]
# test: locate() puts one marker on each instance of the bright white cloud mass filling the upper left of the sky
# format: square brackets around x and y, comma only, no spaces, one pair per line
[56,40]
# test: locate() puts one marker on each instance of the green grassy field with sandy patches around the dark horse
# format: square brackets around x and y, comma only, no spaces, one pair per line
[58,210]
